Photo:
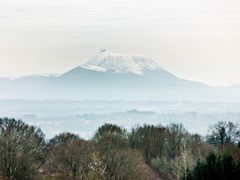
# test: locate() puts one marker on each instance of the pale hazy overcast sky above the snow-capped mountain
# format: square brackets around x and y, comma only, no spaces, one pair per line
[194,39]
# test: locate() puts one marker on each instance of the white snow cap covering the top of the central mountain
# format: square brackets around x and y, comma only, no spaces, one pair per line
[107,61]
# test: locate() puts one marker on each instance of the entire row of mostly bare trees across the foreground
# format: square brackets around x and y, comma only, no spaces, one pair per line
[145,153]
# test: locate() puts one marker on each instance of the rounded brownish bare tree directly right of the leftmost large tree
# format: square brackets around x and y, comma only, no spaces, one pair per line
[69,157]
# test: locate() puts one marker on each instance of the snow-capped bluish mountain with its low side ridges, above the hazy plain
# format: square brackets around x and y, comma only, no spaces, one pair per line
[113,76]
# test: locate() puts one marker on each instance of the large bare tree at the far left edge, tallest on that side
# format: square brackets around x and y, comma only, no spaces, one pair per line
[21,149]
